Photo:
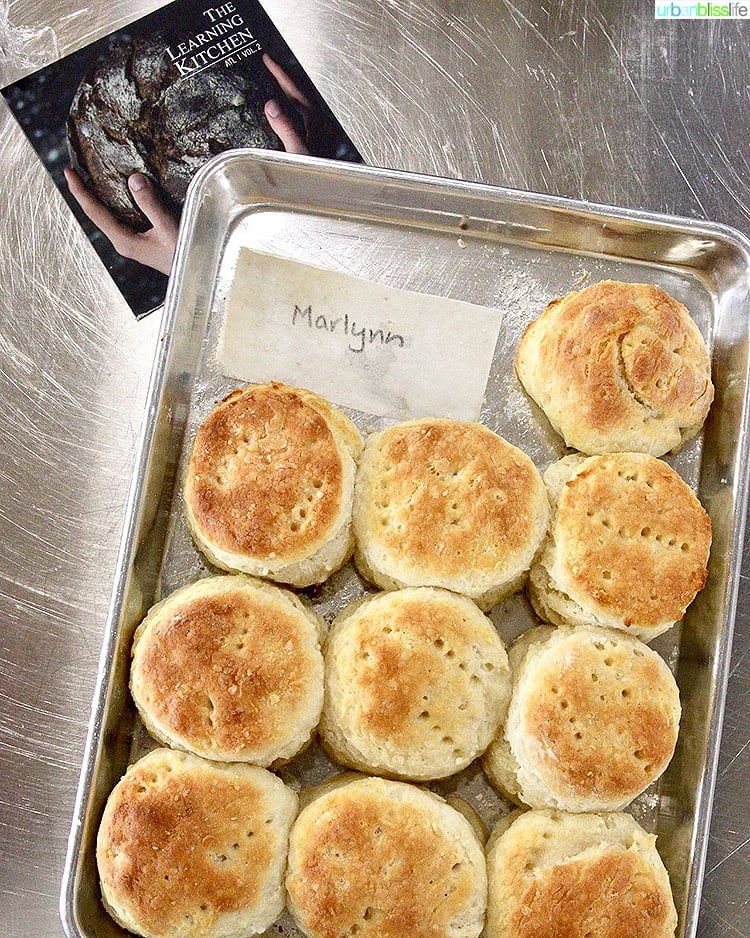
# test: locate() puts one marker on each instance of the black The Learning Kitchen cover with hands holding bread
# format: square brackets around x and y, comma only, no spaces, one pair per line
[123,124]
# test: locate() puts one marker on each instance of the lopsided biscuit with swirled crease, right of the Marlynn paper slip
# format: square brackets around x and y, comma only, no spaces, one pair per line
[618,367]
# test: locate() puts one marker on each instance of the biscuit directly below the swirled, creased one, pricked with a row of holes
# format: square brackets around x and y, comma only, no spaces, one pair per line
[627,548]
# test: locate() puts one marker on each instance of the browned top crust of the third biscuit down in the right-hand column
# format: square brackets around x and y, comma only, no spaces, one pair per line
[600,714]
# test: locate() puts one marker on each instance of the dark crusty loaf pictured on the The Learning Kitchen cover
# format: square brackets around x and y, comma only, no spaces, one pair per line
[133,113]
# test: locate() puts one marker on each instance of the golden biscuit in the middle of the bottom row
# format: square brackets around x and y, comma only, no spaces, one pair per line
[384,859]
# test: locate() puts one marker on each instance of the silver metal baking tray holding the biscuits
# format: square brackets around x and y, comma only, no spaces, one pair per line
[492,246]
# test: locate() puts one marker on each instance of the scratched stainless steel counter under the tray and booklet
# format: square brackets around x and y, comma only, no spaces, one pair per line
[578,99]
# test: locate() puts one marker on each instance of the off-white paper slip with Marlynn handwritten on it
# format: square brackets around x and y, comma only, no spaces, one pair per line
[389,352]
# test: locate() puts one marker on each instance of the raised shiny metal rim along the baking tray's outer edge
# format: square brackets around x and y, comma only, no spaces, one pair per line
[575,207]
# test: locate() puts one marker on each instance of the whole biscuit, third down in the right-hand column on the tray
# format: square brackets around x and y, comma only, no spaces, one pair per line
[592,721]
